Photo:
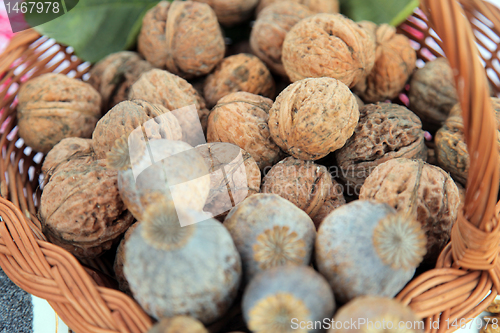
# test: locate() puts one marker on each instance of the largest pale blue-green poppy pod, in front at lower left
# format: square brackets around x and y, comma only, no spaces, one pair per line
[175,270]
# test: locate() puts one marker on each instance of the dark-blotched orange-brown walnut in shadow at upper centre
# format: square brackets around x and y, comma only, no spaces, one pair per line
[241,72]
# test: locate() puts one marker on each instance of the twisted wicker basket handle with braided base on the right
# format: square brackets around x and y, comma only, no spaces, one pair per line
[467,269]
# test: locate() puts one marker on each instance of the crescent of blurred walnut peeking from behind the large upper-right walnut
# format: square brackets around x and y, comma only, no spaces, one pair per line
[270,28]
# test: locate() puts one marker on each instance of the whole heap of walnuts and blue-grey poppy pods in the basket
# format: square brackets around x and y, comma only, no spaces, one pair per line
[233,168]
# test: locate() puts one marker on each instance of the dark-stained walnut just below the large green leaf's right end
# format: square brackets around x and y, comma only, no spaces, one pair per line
[113,76]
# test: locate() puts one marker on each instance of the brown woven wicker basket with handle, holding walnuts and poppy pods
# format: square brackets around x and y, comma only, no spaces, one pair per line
[467,269]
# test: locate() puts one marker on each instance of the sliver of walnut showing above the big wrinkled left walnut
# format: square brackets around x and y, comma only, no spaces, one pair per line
[65,150]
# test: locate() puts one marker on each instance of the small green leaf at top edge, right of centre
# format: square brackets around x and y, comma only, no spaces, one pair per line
[391,12]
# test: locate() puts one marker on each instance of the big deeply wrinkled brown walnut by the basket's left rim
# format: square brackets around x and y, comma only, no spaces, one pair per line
[81,209]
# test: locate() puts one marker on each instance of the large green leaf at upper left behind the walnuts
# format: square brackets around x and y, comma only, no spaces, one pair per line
[96,28]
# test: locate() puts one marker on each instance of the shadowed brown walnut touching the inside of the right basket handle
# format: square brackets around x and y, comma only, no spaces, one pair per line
[432,92]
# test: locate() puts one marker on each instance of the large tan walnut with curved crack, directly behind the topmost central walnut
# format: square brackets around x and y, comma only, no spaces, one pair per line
[328,45]
